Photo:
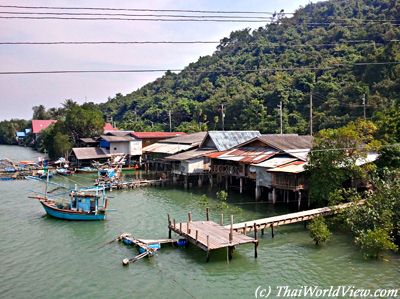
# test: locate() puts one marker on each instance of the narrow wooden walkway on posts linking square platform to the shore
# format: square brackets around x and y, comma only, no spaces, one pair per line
[263,223]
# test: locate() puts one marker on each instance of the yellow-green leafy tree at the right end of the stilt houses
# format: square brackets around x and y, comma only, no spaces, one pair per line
[333,160]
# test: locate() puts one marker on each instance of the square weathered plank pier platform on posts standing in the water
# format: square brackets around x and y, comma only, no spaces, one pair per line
[208,235]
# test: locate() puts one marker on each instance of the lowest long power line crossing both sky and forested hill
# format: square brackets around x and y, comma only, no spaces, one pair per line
[335,66]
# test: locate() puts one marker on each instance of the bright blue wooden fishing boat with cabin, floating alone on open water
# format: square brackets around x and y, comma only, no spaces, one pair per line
[84,204]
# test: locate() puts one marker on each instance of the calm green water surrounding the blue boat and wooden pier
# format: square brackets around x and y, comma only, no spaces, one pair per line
[41,257]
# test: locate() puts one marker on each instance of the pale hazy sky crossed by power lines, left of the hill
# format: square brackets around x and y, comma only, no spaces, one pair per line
[19,93]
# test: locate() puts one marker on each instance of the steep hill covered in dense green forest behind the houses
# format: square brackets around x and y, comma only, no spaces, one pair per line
[251,72]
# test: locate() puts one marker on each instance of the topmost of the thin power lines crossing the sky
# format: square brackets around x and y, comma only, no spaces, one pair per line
[145,9]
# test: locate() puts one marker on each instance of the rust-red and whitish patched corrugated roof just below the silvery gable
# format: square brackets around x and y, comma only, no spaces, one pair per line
[245,154]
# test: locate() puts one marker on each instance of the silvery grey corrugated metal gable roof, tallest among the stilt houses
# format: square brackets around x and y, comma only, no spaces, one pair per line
[224,140]
